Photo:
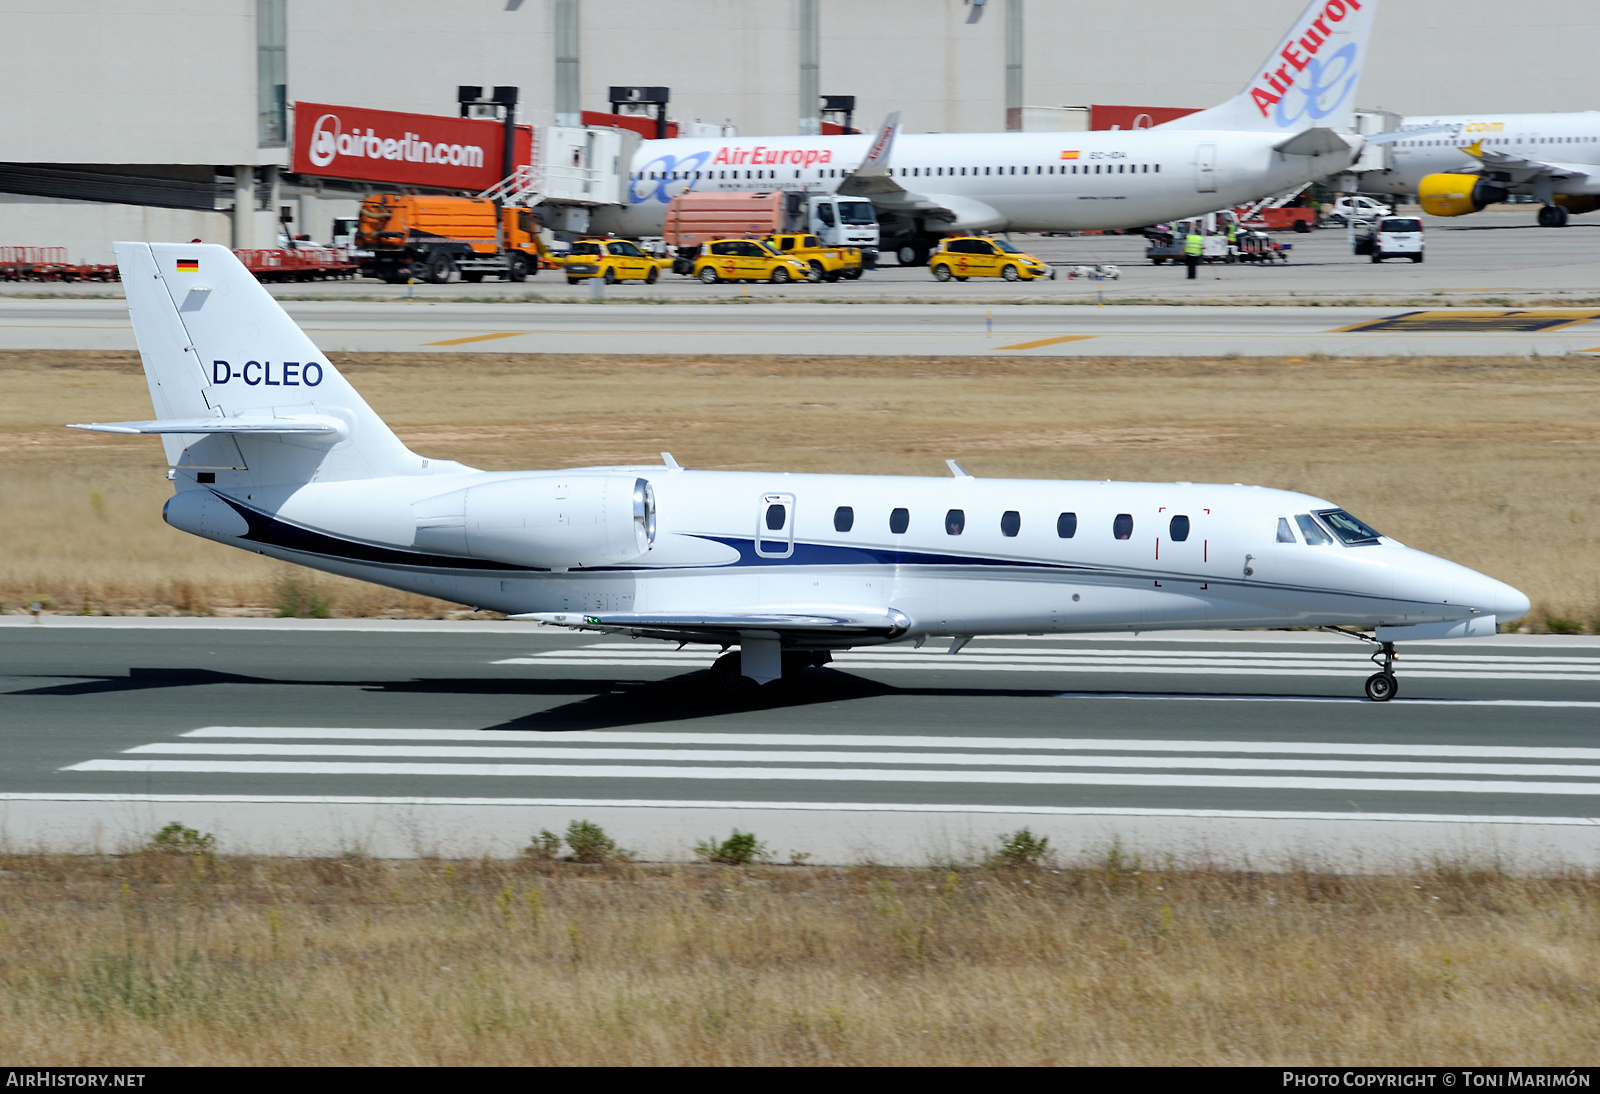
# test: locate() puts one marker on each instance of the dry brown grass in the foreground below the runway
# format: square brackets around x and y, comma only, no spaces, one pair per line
[170,959]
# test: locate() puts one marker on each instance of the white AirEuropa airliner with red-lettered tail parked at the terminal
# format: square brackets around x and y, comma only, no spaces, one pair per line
[1289,127]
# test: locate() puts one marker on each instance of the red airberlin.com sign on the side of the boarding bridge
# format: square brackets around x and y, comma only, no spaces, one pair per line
[410,150]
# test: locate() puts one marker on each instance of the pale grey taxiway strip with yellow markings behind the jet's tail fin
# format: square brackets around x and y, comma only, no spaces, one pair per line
[863,330]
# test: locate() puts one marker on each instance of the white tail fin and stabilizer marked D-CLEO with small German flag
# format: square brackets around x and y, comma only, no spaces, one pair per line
[242,397]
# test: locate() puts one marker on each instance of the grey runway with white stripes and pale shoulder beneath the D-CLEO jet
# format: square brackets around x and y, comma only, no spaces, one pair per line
[126,722]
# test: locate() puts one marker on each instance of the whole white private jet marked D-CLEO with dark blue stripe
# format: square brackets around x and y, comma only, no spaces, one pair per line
[273,452]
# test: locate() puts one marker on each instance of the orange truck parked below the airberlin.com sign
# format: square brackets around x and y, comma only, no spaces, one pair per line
[431,238]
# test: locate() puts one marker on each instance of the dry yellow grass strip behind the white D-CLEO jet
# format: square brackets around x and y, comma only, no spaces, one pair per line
[1487,461]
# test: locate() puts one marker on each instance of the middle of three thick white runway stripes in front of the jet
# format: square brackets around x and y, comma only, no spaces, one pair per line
[977,761]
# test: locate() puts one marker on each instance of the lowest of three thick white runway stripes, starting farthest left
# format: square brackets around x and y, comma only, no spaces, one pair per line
[833,775]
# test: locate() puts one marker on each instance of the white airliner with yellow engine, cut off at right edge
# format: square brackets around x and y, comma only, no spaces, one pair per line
[1458,166]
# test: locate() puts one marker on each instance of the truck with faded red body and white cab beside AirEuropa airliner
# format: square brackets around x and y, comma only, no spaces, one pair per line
[836,222]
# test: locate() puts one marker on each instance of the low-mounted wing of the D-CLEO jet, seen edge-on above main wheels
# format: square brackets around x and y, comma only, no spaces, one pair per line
[732,628]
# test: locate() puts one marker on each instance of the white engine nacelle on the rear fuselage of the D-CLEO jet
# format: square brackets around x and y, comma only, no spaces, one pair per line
[545,522]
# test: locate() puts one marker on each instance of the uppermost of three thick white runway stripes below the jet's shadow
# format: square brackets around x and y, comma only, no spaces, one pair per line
[578,743]
